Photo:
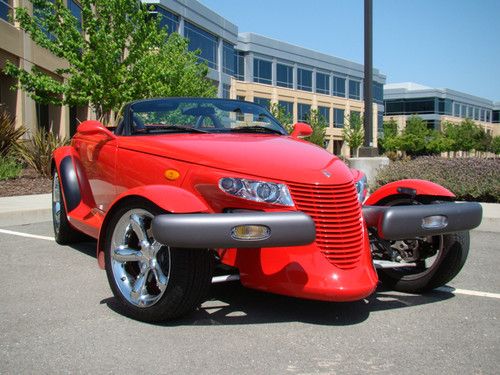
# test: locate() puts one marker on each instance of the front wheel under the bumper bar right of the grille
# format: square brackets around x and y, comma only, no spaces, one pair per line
[421,264]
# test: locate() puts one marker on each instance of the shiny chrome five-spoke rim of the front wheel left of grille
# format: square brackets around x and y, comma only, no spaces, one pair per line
[140,265]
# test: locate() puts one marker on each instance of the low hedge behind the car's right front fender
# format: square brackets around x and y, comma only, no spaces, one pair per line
[475,179]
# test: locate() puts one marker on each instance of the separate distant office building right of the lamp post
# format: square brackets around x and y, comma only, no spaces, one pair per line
[402,100]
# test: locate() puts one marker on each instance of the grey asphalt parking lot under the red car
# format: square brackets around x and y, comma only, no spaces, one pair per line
[58,315]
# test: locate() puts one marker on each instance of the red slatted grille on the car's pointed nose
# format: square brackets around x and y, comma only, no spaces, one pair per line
[336,212]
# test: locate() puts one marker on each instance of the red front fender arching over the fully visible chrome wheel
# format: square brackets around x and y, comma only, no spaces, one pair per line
[169,198]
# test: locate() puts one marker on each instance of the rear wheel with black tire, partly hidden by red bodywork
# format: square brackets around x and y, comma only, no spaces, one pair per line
[64,233]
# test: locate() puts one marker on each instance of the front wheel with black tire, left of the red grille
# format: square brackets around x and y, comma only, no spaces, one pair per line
[189,271]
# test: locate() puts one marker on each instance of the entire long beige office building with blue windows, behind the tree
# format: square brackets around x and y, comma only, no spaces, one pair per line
[244,66]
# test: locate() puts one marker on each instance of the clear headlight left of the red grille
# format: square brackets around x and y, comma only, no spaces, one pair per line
[258,191]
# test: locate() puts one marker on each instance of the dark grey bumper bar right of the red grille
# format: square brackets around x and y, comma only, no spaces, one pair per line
[404,222]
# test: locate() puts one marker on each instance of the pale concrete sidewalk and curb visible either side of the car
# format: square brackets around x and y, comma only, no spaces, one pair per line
[26,209]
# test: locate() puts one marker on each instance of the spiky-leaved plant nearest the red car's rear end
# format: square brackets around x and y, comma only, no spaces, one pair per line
[37,152]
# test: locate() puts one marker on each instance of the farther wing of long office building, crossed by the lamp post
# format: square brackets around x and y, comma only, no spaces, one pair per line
[299,79]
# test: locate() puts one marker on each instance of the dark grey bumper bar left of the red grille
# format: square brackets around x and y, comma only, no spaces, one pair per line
[217,230]
